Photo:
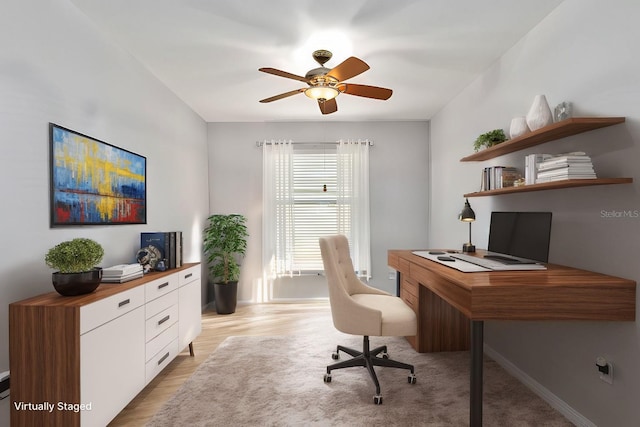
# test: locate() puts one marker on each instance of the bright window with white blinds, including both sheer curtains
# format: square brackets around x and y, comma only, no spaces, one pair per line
[309,192]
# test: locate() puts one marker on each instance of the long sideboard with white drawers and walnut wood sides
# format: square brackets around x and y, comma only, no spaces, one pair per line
[101,348]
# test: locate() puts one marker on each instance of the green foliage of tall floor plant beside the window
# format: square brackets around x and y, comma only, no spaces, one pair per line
[225,238]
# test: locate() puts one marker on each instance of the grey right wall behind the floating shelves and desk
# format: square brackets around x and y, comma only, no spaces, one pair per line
[584,52]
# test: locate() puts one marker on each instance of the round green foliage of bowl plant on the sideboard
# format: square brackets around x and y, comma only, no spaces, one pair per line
[74,256]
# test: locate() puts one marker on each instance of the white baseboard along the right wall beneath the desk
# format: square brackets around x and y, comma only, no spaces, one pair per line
[560,405]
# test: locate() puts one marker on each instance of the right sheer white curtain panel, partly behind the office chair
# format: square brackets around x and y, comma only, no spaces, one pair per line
[353,201]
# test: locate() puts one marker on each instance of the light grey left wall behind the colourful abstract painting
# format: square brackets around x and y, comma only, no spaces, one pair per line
[56,67]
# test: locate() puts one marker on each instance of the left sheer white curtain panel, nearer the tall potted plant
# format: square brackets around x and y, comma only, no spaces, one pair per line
[277,202]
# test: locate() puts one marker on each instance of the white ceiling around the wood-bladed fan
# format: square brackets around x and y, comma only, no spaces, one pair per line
[208,51]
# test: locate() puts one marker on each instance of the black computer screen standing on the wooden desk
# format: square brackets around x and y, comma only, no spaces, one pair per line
[521,234]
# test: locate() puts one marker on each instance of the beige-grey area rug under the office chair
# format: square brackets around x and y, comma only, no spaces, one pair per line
[278,381]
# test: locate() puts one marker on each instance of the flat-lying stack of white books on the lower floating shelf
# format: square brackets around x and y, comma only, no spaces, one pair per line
[565,166]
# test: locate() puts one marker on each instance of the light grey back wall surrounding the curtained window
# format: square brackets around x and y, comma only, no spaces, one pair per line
[398,184]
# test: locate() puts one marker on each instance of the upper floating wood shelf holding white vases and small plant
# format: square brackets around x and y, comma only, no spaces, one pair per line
[552,132]
